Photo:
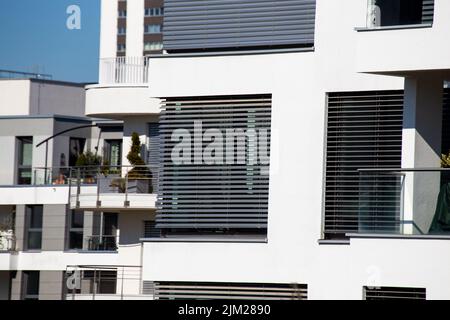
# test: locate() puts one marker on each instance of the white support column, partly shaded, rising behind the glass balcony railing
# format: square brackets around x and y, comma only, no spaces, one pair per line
[422,130]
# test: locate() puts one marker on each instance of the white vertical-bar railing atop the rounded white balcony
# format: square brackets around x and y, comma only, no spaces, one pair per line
[124,70]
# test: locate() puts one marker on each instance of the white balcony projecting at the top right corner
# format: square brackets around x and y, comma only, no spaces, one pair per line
[403,37]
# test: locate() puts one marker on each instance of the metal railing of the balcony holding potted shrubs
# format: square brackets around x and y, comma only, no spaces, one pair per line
[120,181]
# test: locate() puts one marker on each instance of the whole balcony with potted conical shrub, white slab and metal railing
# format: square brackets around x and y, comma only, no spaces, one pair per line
[117,188]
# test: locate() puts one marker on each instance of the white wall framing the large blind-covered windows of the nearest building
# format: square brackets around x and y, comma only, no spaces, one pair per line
[298,83]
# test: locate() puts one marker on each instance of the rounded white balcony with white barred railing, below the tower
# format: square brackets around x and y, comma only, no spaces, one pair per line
[122,89]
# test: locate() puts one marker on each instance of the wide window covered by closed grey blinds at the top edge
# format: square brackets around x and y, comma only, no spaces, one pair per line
[238,24]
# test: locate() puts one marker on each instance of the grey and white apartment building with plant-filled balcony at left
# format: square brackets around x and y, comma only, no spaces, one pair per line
[54,209]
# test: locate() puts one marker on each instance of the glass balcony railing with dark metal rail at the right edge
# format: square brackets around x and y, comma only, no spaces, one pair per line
[404,201]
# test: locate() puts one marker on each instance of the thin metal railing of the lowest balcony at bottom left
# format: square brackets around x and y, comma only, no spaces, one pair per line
[104,283]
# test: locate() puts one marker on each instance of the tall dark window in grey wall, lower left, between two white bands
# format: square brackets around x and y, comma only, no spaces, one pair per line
[33,225]
